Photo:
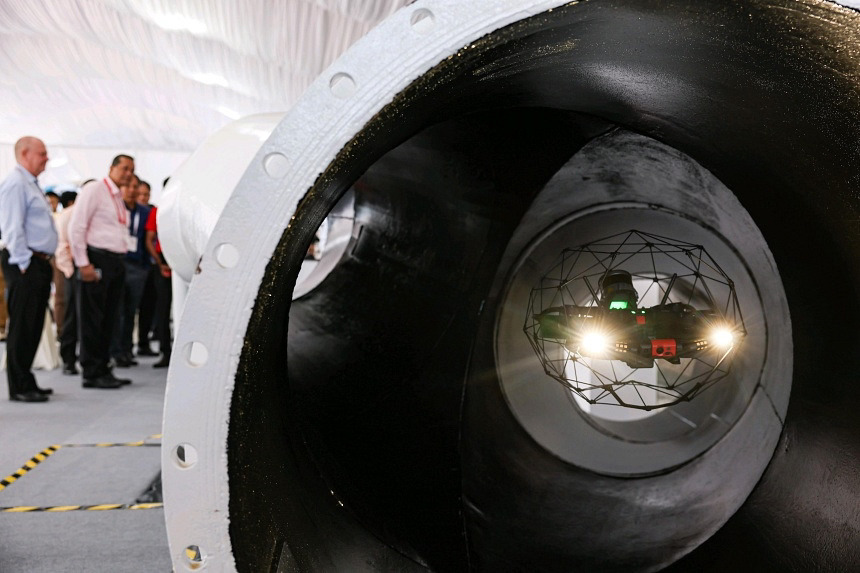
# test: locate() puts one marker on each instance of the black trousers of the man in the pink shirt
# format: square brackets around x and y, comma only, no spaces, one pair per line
[98,304]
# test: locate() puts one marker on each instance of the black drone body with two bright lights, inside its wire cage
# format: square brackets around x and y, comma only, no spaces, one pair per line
[617,329]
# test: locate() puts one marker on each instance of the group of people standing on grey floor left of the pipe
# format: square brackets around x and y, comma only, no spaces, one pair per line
[102,254]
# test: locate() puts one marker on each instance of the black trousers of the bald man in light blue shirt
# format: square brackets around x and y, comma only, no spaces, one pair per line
[27,301]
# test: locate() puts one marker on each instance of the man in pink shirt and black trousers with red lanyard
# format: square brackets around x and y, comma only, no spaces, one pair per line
[99,239]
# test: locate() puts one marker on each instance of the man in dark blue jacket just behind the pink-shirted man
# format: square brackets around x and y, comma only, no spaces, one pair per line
[136,270]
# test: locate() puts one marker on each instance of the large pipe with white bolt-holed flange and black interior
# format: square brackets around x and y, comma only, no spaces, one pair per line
[392,416]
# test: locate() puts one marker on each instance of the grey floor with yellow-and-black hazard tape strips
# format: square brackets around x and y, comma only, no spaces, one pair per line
[122,540]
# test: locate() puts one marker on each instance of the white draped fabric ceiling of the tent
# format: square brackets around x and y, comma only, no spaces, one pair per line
[161,75]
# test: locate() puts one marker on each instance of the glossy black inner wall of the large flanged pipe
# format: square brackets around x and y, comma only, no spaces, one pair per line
[346,446]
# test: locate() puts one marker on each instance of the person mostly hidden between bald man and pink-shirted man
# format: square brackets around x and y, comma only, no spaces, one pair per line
[66,267]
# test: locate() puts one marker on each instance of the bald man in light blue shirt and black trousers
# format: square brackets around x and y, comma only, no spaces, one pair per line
[27,229]
